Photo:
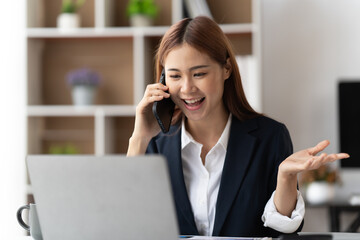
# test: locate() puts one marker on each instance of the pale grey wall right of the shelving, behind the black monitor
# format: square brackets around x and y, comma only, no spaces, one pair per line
[307,46]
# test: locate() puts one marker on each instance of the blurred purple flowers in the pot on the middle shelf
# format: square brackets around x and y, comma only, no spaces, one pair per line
[83,76]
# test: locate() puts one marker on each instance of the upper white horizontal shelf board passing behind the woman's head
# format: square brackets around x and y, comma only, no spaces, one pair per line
[123,31]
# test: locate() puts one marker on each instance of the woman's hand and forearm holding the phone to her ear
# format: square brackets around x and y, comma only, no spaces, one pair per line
[146,126]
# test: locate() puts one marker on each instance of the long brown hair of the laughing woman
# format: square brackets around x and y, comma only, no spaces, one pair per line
[205,35]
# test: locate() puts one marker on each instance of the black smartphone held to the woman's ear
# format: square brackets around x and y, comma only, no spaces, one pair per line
[164,109]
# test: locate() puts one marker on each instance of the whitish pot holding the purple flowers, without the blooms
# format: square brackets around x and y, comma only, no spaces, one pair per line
[83,95]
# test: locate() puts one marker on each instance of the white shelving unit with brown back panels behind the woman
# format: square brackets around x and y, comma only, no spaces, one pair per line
[122,54]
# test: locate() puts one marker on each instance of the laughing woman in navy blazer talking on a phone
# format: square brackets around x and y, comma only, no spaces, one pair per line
[231,168]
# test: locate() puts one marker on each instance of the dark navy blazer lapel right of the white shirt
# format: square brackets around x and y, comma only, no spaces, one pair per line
[237,160]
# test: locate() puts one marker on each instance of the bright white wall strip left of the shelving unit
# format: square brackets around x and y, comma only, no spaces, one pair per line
[12,116]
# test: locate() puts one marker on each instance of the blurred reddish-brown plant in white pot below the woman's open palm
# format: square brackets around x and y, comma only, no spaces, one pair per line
[320,184]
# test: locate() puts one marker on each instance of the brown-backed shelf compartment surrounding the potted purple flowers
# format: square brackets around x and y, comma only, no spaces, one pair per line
[51,59]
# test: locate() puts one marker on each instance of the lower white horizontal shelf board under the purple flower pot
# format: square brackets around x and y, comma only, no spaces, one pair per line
[69,110]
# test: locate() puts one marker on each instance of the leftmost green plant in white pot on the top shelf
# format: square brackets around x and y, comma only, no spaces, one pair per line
[69,18]
